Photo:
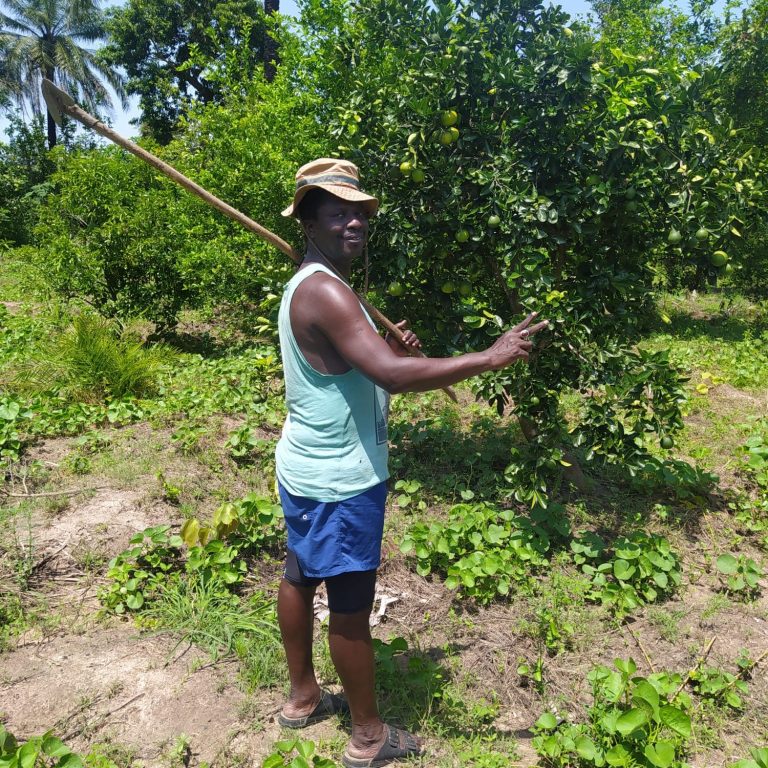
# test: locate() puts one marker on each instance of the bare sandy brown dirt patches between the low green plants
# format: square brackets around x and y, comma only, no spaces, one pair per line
[96,680]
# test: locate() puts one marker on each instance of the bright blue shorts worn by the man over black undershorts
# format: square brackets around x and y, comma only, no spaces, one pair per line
[334,537]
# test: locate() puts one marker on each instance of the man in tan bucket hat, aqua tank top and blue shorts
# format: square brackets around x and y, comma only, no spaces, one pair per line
[332,456]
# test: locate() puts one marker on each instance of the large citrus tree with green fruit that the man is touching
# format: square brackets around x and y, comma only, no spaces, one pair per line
[522,168]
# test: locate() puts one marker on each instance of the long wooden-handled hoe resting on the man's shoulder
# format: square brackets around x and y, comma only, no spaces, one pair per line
[59,102]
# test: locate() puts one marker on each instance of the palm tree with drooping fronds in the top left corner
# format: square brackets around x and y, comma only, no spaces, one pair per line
[46,38]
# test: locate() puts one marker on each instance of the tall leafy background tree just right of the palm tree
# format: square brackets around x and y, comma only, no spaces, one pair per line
[174,52]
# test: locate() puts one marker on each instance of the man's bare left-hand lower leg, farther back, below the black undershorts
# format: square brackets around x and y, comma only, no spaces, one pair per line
[295,616]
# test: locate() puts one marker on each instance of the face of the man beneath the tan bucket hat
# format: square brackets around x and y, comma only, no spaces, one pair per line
[340,229]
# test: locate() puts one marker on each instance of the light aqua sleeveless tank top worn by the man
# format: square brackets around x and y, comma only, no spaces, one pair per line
[334,440]
